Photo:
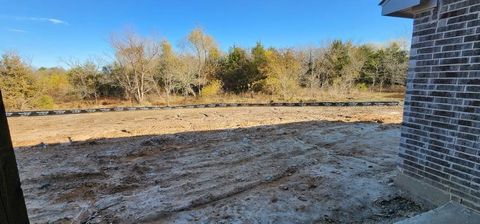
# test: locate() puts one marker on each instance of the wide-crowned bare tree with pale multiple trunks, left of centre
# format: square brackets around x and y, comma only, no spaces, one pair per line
[136,58]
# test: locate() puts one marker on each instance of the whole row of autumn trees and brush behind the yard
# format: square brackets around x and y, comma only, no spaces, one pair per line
[144,66]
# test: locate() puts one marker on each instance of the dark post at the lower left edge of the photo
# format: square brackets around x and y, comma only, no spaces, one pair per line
[12,203]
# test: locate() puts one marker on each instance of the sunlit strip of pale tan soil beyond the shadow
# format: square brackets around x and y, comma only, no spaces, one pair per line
[28,131]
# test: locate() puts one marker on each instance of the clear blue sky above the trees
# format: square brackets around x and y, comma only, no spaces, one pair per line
[47,31]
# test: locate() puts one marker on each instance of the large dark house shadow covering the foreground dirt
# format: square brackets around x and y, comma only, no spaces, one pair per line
[325,172]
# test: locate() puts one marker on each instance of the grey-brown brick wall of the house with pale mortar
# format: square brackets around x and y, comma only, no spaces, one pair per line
[441,132]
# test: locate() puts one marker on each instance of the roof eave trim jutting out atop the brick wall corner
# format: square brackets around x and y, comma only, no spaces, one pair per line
[405,8]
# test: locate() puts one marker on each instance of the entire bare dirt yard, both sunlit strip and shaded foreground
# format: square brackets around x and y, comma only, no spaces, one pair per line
[228,165]
